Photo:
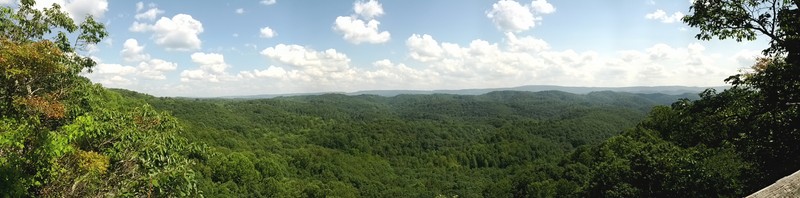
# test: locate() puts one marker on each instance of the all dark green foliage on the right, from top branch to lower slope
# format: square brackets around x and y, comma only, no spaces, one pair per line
[726,144]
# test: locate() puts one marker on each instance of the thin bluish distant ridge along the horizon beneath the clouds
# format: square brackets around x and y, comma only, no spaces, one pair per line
[669,90]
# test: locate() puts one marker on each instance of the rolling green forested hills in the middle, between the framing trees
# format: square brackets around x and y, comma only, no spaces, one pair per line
[402,146]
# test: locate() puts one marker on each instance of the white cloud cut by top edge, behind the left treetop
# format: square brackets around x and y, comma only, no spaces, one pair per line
[77,9]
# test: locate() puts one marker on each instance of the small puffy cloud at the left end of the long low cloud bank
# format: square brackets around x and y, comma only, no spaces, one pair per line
[211,68]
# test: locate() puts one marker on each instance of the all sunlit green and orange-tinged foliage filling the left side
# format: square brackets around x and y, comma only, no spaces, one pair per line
[61,136]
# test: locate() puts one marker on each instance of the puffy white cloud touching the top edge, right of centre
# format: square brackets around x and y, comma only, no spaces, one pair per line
[511,16]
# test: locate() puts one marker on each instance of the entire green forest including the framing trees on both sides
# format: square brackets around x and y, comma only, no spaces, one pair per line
[63,136]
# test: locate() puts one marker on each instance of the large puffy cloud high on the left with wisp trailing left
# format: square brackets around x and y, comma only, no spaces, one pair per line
[179,33]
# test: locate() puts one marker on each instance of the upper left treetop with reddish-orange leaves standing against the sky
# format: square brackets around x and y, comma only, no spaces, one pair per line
[36,69]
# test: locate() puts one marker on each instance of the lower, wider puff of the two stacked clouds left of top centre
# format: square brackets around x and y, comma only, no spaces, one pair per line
[356,31]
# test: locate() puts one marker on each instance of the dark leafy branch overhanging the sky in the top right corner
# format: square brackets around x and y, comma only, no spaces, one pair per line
[743,19]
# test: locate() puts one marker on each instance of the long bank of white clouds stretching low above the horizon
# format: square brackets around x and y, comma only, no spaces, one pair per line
[434,64]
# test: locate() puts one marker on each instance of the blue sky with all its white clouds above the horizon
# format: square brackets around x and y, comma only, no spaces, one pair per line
[205,48]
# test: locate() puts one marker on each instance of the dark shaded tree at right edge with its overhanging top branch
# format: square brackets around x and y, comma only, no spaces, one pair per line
[760,113]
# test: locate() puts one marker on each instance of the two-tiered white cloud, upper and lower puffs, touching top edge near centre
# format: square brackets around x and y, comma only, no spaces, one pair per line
[362,27]
